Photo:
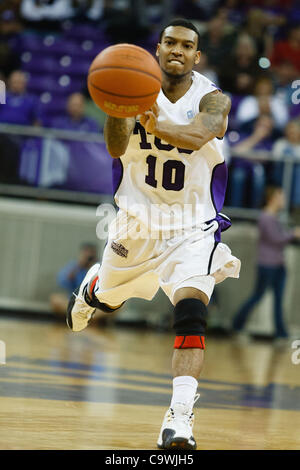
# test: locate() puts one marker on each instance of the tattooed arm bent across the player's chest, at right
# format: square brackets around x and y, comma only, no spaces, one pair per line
[210,122]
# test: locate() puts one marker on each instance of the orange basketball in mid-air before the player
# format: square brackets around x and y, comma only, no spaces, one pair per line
[124,80]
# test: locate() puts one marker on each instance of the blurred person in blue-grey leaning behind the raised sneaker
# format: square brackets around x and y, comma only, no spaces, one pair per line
[71,275]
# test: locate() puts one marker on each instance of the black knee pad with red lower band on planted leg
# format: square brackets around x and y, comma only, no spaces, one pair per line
[190,323]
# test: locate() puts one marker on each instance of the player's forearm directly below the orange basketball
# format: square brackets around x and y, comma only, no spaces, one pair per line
[116,134]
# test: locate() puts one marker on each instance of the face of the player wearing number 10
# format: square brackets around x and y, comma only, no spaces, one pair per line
[177,51]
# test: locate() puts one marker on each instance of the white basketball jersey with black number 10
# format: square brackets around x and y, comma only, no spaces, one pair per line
[168,188]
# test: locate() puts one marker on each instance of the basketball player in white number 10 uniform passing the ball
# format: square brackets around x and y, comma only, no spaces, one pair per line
[170,179]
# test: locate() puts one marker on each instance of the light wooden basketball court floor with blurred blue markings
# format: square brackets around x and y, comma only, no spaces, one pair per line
[109,389]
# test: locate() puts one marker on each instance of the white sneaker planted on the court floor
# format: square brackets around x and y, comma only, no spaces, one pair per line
[177,428]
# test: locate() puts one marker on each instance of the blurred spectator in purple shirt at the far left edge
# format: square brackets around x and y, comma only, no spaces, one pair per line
[20,108]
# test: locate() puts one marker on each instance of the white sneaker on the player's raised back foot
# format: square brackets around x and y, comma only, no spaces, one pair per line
[79,313]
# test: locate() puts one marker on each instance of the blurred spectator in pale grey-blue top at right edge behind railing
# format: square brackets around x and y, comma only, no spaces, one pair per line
[288,147]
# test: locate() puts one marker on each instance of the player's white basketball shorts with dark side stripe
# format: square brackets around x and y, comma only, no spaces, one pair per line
[138,267]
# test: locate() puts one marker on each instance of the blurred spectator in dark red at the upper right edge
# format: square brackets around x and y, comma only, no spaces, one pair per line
[289,49]
